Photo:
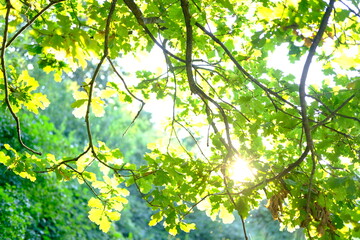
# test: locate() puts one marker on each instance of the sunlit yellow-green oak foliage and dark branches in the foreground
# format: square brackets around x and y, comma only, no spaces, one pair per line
[300,140]
